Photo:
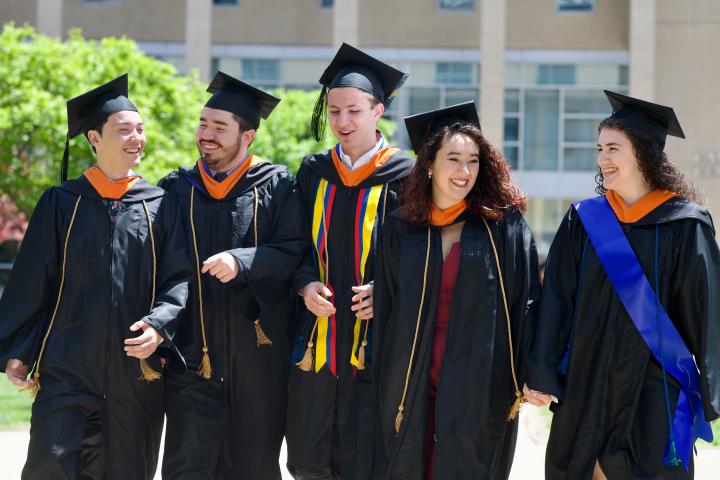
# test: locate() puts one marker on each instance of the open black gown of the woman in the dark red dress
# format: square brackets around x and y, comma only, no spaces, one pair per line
[474,439]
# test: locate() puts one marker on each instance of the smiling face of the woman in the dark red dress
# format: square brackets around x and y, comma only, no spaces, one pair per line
[454,170]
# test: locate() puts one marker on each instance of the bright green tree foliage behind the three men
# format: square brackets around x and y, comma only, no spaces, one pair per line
[38,74]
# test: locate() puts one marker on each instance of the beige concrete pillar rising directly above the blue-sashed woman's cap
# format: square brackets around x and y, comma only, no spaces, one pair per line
[643,15]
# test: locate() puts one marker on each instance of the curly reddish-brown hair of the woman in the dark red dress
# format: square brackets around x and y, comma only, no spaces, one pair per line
[491,195]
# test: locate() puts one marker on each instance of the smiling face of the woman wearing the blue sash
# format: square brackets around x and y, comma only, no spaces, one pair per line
[619,165]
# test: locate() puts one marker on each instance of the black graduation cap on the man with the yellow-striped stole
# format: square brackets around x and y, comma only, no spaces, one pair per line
[354,68]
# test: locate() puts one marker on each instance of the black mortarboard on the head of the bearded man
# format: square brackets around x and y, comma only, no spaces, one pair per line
[245,101]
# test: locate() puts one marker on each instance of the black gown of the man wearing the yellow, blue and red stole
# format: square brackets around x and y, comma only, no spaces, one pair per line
[330,425]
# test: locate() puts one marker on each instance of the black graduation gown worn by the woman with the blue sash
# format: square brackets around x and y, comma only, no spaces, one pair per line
[612,405]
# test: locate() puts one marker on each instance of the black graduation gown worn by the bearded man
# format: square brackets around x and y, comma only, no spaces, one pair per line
[232,425]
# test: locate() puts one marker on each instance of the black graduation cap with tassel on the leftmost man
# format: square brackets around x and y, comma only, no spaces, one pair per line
[89,110]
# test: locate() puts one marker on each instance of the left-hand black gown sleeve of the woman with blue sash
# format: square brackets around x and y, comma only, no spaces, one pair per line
[554,322]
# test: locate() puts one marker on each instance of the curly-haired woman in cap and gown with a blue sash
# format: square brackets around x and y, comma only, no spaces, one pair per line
[628,338]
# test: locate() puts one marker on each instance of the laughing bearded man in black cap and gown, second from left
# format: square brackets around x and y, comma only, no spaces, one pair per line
[225,412]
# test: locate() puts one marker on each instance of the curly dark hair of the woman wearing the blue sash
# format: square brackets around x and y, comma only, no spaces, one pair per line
[655,167]
